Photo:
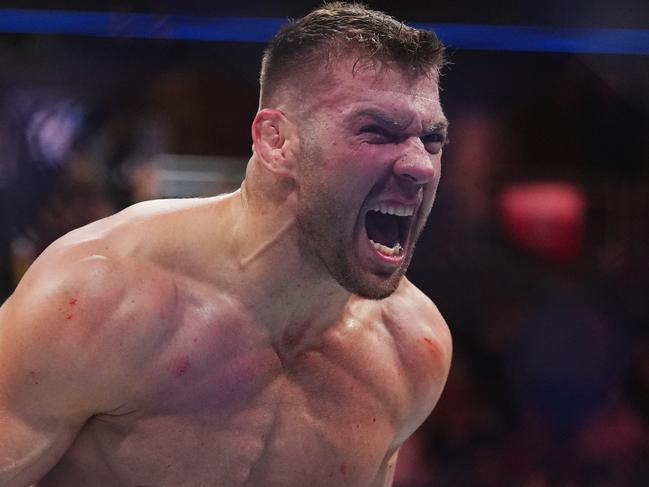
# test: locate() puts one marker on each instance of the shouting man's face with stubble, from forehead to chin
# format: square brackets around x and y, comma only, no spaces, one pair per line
[370,150]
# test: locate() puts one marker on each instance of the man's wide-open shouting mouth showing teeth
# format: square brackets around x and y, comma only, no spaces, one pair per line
[388,227]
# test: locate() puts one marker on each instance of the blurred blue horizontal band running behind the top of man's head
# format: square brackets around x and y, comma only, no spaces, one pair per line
[261,29]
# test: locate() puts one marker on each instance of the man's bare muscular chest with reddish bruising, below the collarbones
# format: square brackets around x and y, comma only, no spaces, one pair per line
[245,421]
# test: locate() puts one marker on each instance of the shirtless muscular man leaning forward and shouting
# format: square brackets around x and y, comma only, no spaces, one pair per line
[262,338]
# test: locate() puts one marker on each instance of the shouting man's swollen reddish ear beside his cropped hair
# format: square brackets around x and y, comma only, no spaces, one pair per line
[273,140]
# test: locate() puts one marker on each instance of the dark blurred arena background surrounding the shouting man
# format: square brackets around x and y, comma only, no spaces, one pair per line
[536,250]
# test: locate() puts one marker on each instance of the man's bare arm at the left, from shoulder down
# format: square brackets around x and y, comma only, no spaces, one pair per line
[49,370]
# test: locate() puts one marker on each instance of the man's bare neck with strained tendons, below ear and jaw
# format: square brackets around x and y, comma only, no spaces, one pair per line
[292,294]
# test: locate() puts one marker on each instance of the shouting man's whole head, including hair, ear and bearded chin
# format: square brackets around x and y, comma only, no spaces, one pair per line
[350,122]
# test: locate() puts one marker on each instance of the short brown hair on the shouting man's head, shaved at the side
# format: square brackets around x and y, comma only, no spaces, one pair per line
[342,28]
